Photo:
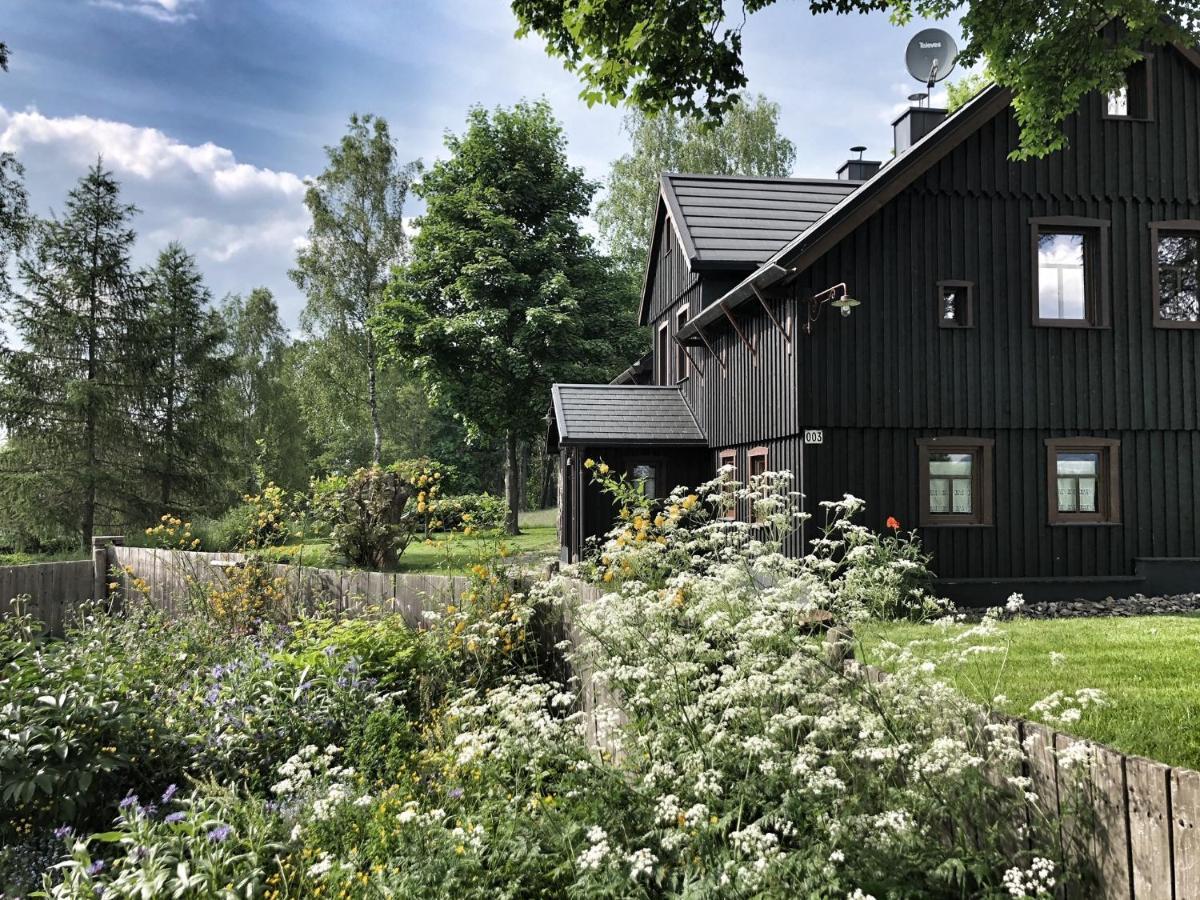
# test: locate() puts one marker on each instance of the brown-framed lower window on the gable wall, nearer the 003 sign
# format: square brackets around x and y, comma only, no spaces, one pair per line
[956,481]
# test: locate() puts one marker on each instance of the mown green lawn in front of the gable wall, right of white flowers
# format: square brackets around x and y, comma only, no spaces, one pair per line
[1148,667]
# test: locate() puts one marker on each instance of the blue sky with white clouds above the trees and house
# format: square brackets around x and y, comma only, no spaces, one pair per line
[213,112]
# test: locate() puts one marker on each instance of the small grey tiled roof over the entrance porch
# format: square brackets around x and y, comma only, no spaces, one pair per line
[623,415]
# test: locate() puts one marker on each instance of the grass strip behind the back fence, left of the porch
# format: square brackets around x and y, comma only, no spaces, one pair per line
[447,554]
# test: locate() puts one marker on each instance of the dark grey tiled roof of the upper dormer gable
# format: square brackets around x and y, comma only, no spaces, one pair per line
[737,221]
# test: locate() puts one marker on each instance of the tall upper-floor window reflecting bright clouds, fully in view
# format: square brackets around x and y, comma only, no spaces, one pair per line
[1071,272]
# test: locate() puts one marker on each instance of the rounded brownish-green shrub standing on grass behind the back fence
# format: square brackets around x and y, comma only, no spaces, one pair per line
[369,514]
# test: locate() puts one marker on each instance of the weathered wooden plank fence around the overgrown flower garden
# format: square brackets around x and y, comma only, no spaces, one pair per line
[1143,835]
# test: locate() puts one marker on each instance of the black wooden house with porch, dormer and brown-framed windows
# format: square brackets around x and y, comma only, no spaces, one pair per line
[1003,355]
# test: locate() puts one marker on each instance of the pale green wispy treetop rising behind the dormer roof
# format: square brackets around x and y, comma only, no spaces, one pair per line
[746,143]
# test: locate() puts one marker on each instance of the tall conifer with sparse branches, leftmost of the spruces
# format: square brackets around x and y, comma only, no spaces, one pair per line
[67,391]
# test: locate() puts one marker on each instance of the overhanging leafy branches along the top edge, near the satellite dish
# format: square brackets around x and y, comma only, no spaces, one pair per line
[687,56]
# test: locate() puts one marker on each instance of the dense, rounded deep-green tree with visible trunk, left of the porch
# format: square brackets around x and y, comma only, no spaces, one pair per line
[505,295]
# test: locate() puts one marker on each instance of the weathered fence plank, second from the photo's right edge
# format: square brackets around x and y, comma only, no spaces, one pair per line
[1150,829]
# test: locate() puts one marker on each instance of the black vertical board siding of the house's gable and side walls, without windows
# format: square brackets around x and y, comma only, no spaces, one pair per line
[889,375]
